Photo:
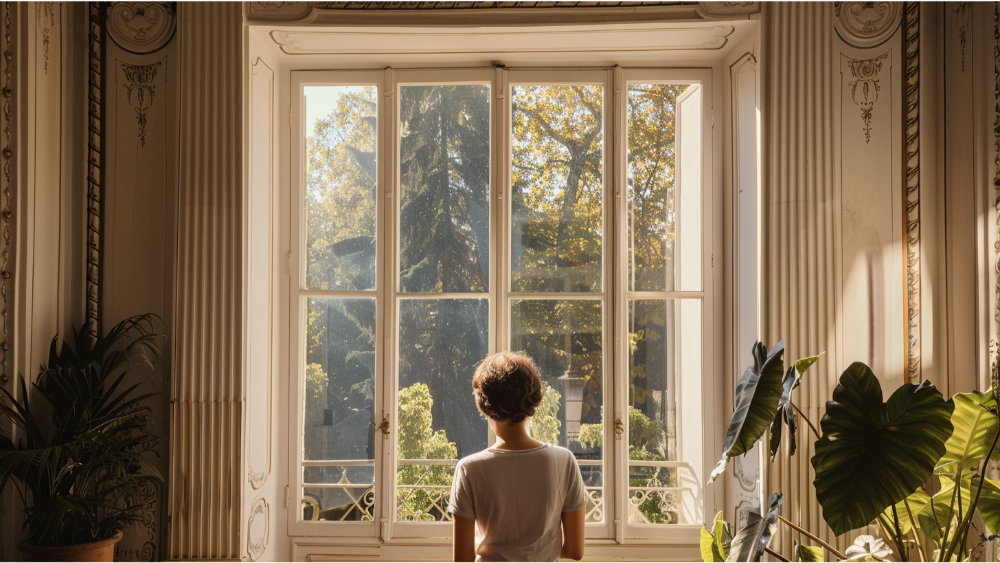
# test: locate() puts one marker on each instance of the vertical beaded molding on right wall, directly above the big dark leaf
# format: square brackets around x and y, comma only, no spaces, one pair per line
[911,184]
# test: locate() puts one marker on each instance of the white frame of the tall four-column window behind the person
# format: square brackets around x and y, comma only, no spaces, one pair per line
[615,527]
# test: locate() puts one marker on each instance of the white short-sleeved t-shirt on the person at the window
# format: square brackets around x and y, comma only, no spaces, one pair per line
[517,498]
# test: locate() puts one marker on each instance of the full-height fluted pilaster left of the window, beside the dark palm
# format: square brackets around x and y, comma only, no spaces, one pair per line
[207,394]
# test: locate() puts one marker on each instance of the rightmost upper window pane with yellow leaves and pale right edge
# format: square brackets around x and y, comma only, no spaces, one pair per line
[656,197]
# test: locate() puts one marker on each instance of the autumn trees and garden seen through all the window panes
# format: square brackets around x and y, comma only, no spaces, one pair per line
[557,237]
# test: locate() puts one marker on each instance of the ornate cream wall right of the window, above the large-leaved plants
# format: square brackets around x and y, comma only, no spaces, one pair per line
[878,227]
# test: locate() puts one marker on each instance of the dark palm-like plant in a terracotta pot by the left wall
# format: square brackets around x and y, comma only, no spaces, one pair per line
[80,457]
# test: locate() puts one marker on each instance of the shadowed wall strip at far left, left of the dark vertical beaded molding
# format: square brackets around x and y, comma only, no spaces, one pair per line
[42,203]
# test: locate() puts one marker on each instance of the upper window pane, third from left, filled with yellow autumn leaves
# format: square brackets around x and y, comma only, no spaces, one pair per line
[557,153]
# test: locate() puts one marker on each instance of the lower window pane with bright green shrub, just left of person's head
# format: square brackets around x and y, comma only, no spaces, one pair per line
[440,343]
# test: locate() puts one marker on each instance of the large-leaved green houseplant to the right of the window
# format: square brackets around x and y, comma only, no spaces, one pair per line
[914,465]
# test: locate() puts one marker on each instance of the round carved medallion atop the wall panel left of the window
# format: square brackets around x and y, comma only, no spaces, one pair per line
[142,26]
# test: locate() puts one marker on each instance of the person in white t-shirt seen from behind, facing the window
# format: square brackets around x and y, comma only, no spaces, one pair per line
[521,500]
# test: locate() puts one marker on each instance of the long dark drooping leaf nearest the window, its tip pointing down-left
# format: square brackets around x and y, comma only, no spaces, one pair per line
[757,396]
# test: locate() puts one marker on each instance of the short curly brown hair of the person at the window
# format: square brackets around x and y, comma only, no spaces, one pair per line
[507,387]
